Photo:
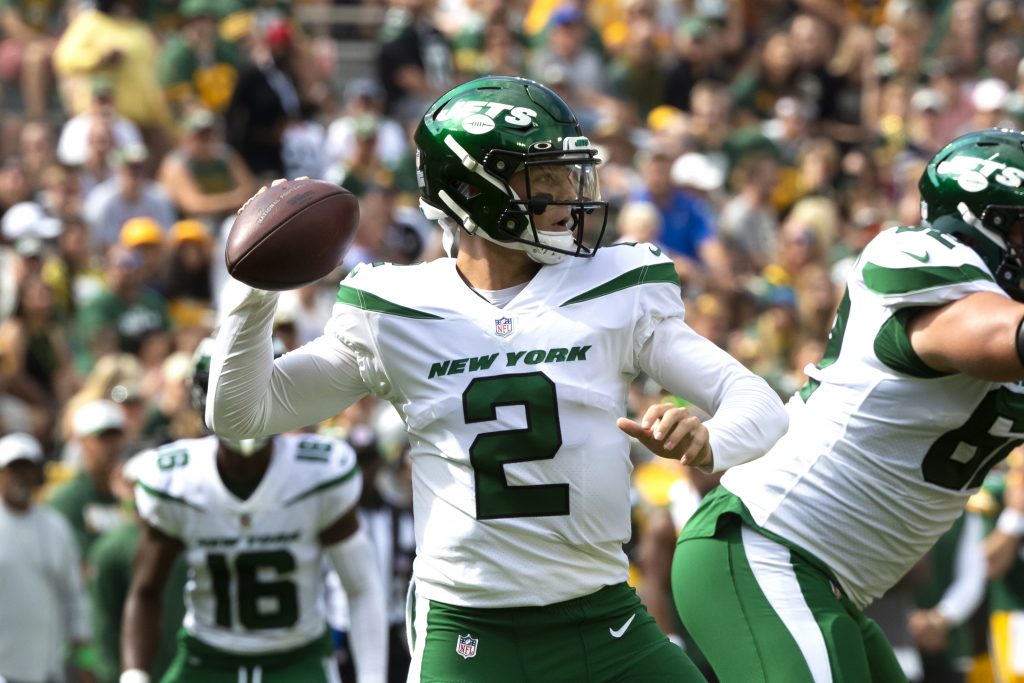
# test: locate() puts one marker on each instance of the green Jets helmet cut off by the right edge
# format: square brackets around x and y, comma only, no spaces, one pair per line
[974,190]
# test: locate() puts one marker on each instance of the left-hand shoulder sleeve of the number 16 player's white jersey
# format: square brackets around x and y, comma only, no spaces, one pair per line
[160,491]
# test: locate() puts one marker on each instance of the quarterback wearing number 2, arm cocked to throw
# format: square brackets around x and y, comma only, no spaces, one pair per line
[510,365]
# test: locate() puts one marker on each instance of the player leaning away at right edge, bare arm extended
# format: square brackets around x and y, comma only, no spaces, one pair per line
[917,397]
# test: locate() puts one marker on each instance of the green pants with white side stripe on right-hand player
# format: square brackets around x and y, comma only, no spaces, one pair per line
[762,614]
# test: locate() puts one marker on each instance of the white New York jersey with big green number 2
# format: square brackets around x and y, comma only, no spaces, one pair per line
[492,396]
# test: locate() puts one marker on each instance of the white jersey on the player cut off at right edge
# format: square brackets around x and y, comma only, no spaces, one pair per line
[883,452]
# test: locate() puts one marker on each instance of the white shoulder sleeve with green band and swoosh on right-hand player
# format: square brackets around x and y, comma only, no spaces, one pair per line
[917,267]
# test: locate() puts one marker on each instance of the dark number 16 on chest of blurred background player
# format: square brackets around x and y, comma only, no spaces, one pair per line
[253,593]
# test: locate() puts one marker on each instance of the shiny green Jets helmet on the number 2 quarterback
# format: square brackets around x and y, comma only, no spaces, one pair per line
[486,139]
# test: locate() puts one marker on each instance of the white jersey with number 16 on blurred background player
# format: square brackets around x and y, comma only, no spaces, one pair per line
[255,577]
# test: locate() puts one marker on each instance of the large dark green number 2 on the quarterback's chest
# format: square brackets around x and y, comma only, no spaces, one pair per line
[491,452]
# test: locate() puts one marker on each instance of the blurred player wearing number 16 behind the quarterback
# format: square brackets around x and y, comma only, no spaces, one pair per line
[255,520]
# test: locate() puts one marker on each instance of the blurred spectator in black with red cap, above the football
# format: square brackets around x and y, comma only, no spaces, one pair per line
[266,100]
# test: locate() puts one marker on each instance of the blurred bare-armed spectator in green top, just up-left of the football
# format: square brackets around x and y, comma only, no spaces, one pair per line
[204,178]
